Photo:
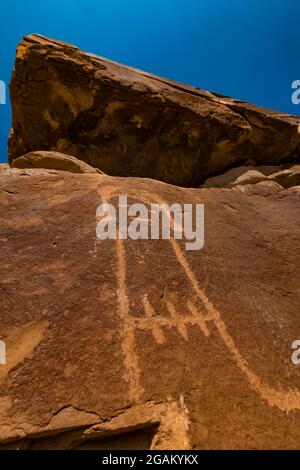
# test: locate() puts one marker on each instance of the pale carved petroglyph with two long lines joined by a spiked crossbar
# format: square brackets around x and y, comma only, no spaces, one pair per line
[285,400]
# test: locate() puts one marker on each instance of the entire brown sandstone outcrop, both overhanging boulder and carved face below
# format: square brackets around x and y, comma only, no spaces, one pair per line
[142,344]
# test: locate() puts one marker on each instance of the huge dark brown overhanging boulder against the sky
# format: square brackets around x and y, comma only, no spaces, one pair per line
[131,123]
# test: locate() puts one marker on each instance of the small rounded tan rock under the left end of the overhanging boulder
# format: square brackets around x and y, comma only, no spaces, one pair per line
[53,161]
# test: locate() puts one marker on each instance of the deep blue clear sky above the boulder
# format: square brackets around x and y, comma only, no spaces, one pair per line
[247,49]
